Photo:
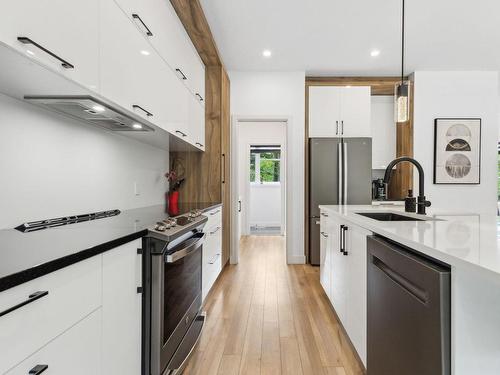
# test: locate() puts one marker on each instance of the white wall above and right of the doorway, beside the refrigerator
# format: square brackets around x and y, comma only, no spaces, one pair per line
[279,94]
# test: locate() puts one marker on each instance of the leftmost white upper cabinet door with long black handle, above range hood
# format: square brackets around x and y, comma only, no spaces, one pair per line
[63,35]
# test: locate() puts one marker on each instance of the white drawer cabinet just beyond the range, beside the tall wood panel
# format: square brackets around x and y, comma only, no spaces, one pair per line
[212,250]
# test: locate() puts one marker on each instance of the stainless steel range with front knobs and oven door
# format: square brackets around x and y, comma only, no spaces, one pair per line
[173,320]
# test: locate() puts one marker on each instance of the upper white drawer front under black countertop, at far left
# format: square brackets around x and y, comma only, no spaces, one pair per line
[73,292]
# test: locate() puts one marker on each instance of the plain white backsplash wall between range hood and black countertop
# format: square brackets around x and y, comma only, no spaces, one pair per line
[53,166]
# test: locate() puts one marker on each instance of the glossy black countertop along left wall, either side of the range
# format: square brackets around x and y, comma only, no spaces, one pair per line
[26,256]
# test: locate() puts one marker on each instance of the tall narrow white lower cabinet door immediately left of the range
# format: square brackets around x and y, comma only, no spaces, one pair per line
[121,310]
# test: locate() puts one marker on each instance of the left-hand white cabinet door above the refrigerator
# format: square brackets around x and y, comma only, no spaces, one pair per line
[324,111]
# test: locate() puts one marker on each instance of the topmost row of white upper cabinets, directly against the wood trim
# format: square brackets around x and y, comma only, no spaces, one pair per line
[159,23]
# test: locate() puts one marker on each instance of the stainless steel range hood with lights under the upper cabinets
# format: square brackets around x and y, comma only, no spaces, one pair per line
[91,110]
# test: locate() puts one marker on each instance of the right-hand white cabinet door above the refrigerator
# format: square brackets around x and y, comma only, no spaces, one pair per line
[355,111]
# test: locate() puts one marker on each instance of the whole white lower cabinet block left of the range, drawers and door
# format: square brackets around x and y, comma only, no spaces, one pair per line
[88,319]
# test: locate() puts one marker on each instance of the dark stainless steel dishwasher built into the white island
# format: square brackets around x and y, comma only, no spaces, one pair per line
[408,312]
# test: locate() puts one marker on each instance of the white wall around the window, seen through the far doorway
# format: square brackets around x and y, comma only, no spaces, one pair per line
[259,203]
